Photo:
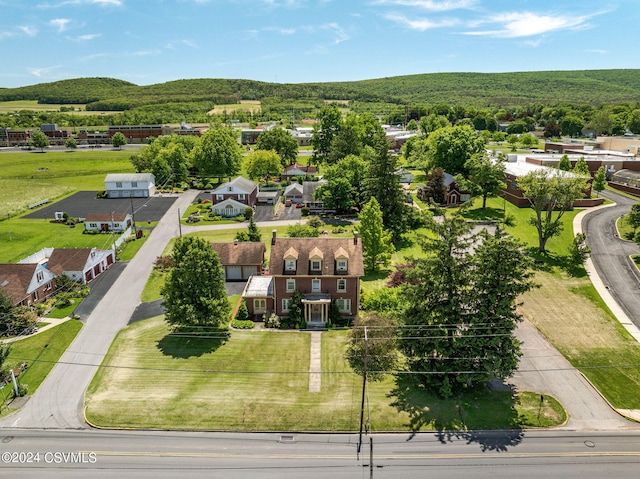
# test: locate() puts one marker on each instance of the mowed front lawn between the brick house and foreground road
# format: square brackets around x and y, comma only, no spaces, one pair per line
[260,381]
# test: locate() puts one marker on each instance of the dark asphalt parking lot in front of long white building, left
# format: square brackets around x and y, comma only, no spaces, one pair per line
[83,203]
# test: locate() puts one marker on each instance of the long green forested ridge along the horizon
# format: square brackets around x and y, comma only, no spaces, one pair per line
[592,87]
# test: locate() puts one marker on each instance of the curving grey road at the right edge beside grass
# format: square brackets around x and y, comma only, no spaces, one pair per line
[610,254]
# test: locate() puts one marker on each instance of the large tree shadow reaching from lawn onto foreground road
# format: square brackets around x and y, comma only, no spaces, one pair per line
[483,416]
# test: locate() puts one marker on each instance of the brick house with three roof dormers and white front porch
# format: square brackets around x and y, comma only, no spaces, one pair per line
[325,270]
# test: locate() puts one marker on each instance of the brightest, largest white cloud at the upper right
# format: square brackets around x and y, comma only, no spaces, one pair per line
[526,24]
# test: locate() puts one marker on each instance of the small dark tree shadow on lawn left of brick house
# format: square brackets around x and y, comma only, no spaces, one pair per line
[185,344]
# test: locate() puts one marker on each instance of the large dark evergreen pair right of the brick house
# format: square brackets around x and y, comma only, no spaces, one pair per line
[460,312]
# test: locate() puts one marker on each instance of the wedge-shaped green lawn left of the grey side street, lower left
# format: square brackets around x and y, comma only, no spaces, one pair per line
[41,352]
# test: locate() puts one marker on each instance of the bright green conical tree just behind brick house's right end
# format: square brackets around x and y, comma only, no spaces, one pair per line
[376,242]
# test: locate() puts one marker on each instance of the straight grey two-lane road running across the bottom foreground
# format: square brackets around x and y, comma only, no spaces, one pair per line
[148,454]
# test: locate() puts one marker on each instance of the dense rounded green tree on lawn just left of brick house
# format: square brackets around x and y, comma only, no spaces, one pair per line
[194,292]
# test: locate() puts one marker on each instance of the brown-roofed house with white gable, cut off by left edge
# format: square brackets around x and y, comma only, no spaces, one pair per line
[27,283]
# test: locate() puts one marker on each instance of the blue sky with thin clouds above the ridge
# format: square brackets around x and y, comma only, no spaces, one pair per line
[296,41]
